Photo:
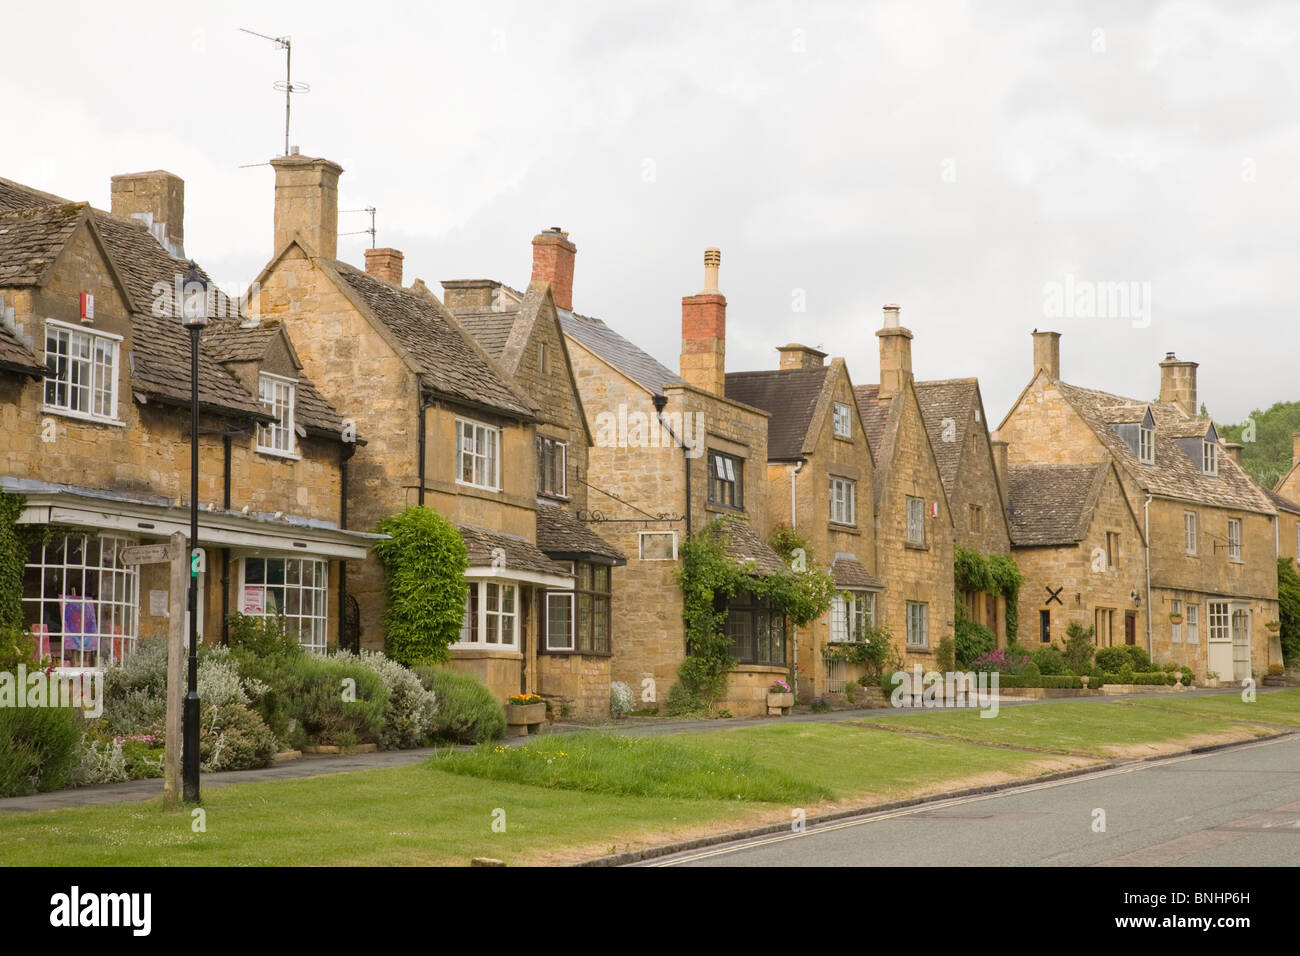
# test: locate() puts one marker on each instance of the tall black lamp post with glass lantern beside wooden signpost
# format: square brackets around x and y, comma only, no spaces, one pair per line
[196,318]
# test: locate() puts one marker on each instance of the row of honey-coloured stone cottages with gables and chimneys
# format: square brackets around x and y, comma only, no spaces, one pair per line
[352,396]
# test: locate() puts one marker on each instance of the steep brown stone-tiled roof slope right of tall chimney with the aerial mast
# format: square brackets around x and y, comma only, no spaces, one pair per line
[449,361]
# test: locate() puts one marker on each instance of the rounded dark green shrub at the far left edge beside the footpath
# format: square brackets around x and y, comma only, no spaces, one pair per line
[38,749]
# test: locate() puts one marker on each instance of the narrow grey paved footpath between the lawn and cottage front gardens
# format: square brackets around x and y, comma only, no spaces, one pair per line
[133,791]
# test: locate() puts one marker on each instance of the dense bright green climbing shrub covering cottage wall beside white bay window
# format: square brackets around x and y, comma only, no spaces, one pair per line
[424,579]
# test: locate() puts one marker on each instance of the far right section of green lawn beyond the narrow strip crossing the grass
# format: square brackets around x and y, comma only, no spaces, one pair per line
[1098,729]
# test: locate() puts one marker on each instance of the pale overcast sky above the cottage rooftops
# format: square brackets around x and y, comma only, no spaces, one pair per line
[969,162]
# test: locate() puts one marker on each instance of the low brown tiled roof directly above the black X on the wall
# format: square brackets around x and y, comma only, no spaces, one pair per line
[1052,504]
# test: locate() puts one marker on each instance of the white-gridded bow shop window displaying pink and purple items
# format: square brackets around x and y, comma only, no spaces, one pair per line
[116,607]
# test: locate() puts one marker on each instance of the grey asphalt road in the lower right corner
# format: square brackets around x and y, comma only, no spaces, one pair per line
[1228,808]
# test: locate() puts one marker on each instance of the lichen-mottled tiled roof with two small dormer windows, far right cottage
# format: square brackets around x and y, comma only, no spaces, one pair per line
[1175,474]
